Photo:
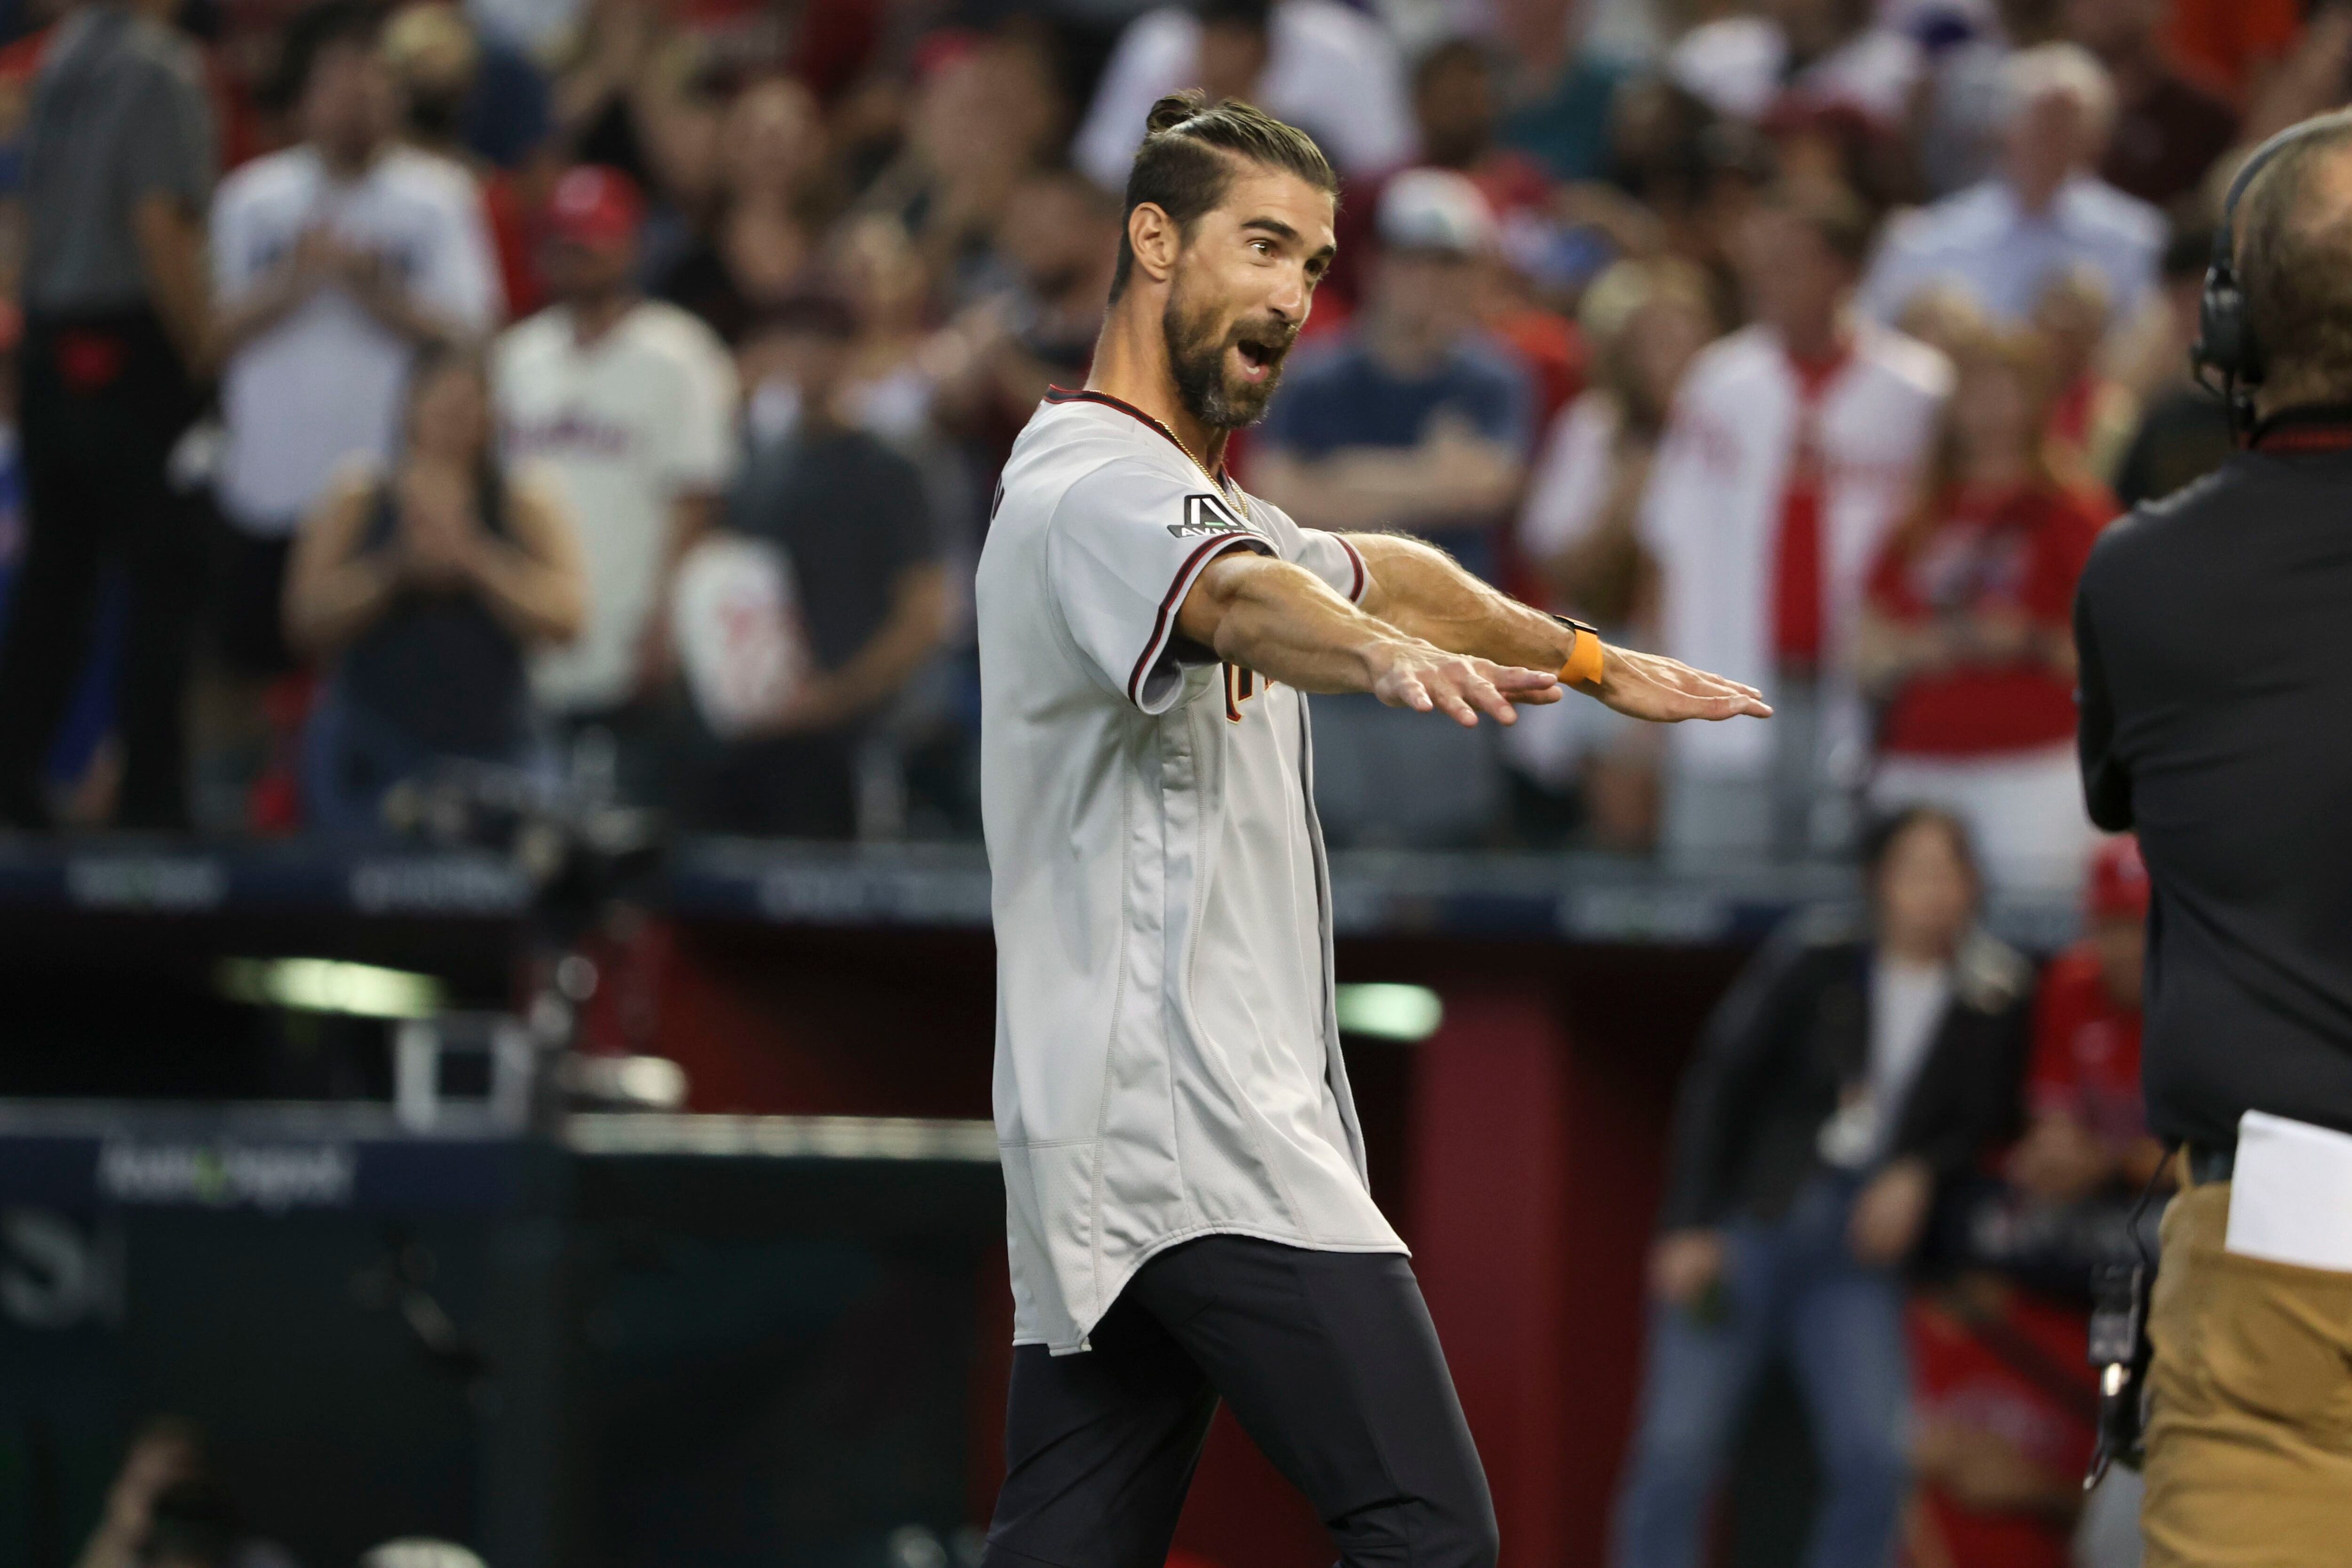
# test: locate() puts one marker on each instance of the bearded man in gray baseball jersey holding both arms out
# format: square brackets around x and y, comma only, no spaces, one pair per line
[1187,1198]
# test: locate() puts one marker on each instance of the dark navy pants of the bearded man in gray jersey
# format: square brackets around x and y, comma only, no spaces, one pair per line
[1330,1365]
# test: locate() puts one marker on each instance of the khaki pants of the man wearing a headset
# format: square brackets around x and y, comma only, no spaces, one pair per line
[2250,1442]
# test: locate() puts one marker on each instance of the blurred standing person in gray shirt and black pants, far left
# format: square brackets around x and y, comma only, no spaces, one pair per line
[116,173]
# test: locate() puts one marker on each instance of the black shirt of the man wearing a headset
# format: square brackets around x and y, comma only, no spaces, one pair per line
[2217,718]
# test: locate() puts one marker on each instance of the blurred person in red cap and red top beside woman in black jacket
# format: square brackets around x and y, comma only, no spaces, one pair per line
[2083,1092]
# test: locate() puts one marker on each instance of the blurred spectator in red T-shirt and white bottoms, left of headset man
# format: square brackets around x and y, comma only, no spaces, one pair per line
[1965,636]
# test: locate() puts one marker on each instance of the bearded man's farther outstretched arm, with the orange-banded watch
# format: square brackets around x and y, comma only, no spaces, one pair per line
[1424,594]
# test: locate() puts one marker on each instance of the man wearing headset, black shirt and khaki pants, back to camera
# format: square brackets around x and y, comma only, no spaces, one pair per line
[2217,718]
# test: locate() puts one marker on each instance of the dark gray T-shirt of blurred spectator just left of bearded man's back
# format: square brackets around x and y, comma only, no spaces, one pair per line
[853,516]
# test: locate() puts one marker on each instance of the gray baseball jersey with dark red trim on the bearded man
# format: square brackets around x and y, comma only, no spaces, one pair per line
[1168,1059]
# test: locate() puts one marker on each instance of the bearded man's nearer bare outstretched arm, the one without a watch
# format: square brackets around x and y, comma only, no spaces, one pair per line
[1285,624]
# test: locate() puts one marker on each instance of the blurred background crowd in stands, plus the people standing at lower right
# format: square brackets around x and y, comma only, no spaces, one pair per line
[615,389]
